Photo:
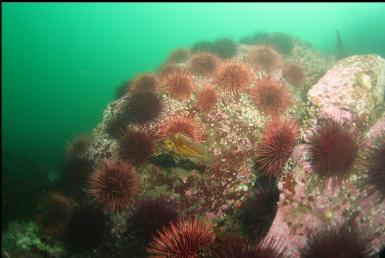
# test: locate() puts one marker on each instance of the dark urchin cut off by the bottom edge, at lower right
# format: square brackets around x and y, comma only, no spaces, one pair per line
[341,240]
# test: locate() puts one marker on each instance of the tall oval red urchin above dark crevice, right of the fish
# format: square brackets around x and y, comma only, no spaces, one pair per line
[278,142]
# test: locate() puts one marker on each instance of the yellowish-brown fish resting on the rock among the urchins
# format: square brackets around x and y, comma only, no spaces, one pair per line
[184,146]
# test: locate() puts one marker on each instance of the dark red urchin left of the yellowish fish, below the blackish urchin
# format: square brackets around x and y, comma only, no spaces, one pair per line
[136,147]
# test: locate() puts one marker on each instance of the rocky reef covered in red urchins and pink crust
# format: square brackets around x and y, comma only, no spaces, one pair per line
[234,141]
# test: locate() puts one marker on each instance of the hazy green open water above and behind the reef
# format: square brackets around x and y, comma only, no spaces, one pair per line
[62,62]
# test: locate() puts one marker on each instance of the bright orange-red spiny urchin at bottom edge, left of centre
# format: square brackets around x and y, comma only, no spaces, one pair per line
[183,239]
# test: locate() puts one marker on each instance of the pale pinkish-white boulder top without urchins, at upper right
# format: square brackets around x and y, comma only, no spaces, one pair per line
[352,90]
